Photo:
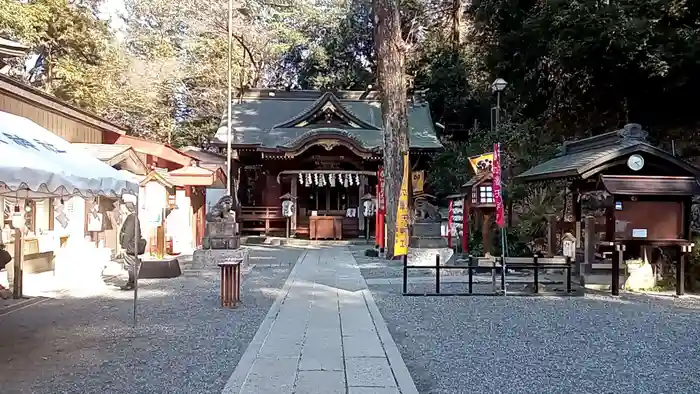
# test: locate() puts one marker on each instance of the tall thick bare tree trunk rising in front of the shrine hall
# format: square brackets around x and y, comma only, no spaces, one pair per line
[392,85]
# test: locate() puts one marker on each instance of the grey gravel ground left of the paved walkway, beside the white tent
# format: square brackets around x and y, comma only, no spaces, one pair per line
[184,343]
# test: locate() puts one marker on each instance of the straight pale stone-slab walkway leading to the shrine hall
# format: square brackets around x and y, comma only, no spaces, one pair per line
[323,335]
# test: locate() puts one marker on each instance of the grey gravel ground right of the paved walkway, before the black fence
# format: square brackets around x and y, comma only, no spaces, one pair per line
[593,344]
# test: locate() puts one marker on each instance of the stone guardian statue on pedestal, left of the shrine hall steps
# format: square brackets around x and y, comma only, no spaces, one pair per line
[221,229]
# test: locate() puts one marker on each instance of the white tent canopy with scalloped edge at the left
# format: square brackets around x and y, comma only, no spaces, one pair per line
[35,163]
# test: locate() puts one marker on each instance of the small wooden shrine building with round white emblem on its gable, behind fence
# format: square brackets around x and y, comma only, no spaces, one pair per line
[638,197]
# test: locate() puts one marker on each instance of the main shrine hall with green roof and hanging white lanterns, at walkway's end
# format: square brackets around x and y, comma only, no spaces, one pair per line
[324,149]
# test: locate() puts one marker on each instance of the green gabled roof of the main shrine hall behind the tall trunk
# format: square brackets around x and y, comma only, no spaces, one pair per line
[266,118]
